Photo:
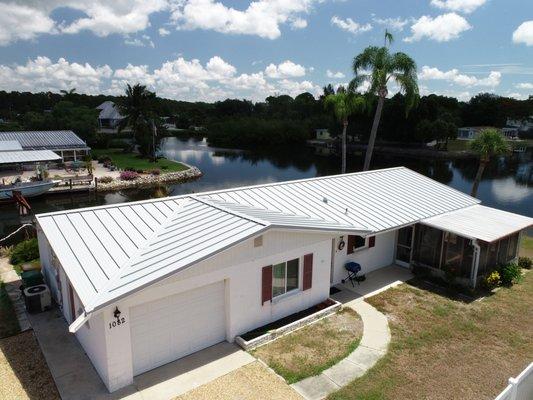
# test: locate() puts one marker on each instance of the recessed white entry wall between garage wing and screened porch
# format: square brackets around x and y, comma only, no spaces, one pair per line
[370,259]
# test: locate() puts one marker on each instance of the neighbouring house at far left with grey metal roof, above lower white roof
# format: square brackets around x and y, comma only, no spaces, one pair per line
[66,144]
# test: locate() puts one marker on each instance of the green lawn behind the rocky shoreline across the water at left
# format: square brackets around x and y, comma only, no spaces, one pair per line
[134,161]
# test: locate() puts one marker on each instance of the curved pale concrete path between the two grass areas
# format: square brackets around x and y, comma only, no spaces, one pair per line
[373,346]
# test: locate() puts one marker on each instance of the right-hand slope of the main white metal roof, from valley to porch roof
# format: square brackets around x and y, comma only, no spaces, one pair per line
[375,200]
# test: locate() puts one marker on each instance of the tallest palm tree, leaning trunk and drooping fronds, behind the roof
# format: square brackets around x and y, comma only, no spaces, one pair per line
[376,67]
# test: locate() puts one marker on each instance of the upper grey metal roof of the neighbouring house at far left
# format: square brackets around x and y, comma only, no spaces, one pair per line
[45,140]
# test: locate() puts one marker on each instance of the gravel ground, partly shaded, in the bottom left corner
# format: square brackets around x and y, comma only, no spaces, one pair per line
[24,373]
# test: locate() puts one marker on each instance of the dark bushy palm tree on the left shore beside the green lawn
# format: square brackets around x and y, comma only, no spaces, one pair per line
[137,107]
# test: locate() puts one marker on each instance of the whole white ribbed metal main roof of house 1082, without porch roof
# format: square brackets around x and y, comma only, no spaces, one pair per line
[111,251]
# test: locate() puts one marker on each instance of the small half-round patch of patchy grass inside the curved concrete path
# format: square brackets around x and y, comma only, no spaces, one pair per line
[314,348]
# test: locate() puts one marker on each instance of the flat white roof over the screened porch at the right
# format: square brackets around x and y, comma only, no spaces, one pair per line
[480,222]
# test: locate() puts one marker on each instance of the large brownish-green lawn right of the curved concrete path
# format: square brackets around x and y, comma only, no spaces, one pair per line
[446,349]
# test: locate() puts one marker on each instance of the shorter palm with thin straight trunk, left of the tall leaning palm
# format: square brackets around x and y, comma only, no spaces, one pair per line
[344,103]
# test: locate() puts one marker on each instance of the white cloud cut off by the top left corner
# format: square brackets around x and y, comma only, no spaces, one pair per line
[20,22]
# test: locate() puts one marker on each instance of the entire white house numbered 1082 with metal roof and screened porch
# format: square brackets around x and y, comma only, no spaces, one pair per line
[145,283]
